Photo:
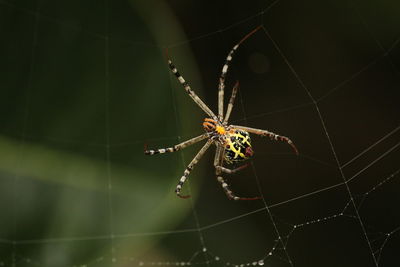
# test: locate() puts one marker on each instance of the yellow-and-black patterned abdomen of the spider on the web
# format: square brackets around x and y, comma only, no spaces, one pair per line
[237,146]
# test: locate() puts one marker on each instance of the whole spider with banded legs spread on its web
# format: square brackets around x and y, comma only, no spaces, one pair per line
[233,144]
